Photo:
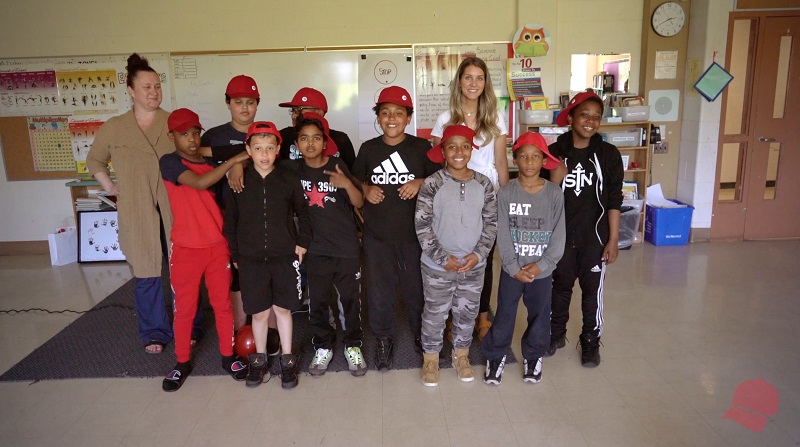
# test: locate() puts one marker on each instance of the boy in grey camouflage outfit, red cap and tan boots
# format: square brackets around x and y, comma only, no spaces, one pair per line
[456,224]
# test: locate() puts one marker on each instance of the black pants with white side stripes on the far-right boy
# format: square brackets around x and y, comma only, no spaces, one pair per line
[586,265]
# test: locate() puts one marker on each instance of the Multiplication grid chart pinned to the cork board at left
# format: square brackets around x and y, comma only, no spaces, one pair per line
[51,143]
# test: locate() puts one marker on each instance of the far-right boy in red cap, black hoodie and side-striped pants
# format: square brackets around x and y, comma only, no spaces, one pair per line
[592,185]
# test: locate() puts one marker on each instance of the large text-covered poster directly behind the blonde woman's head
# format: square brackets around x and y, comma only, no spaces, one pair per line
[435,67]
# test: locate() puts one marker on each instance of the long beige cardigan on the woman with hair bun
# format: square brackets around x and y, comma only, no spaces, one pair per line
[134,154]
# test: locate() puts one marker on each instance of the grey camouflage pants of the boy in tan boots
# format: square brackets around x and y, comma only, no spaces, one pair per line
[446,291]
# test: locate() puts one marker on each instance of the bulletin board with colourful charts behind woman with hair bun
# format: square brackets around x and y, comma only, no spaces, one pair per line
[47,104]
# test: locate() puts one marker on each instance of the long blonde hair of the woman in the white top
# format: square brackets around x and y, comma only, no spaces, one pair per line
[486,117]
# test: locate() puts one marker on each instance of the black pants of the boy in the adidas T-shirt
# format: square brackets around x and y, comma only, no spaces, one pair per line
[389,266]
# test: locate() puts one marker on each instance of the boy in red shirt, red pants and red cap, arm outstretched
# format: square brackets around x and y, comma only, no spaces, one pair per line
[198,247]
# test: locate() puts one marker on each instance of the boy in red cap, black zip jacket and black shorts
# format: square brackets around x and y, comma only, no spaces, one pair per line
[268,248]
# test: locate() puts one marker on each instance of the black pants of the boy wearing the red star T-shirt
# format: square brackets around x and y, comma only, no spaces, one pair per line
[325,273]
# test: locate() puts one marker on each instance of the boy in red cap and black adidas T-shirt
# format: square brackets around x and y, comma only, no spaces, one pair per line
[392,168]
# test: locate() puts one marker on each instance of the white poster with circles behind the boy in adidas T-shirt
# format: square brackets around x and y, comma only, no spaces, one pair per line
[376,72]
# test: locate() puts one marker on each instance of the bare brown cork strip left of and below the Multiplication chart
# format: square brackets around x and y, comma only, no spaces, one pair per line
[17,154]
